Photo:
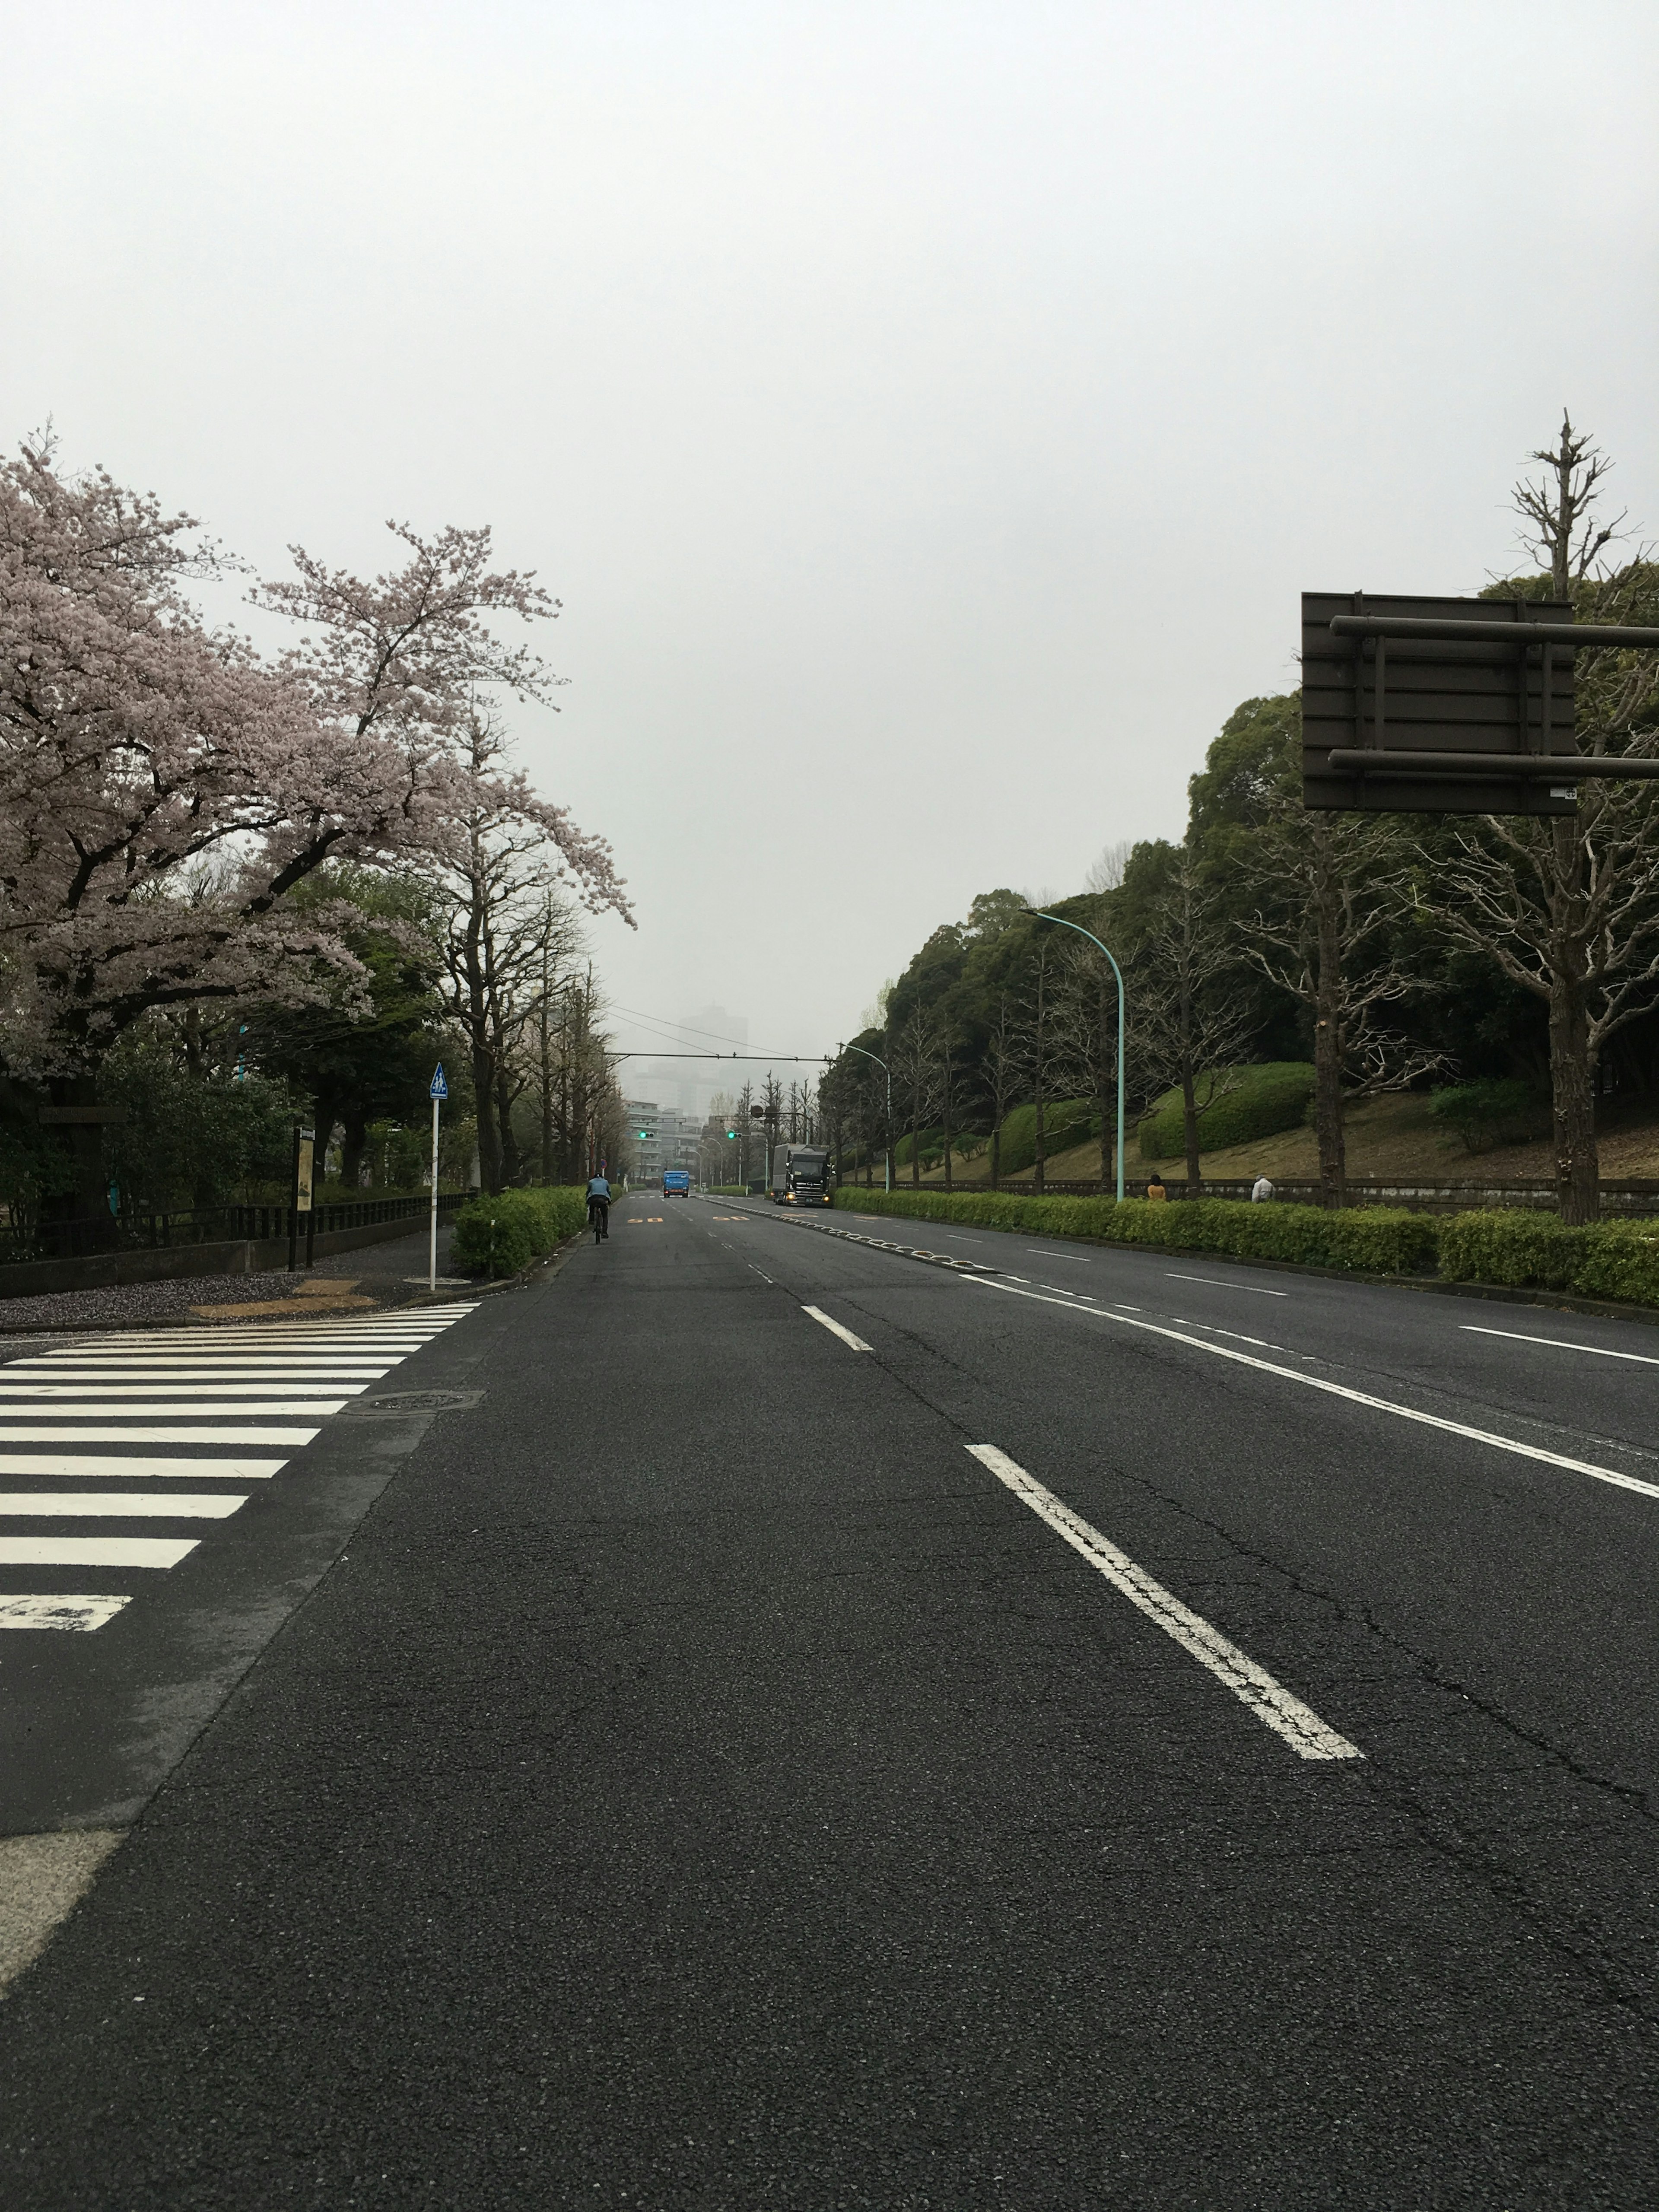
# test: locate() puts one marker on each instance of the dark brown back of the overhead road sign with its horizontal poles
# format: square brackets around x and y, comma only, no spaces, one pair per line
[1448,707]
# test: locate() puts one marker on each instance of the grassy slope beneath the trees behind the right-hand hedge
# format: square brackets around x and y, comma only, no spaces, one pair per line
[1390,1138]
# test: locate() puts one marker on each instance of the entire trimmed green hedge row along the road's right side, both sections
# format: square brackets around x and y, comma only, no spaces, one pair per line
[1519,1249]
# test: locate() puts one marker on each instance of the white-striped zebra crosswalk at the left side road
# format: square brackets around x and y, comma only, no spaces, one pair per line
[220,1397]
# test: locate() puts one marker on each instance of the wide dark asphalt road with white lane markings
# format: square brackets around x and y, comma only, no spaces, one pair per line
[1021,1729]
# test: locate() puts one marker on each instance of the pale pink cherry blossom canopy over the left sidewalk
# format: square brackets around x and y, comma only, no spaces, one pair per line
[163,789]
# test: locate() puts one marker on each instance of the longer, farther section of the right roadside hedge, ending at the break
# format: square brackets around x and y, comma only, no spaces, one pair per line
[1377,1238]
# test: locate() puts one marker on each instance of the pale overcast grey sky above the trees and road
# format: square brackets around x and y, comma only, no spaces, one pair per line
[928,415]
